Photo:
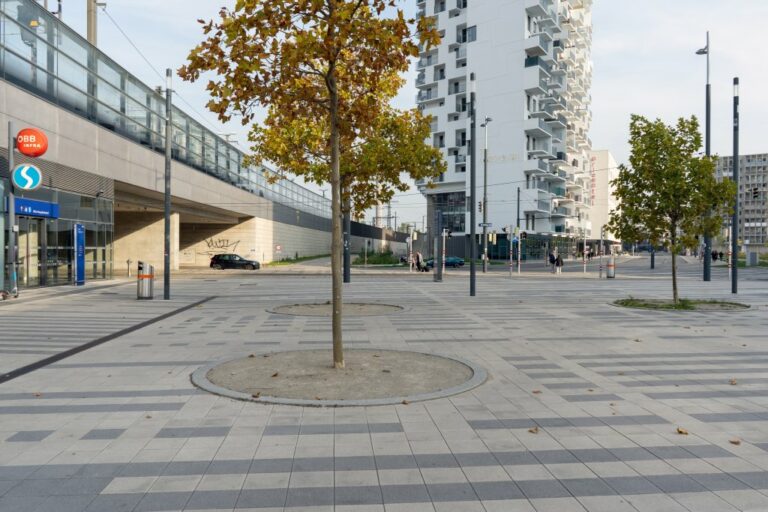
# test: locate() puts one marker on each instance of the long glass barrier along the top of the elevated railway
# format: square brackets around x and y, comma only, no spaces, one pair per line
[45,57]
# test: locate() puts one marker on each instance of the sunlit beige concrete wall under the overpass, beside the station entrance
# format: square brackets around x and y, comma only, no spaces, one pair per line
[141,237]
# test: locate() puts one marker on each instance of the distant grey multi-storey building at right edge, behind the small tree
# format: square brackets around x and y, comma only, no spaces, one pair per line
[753,190]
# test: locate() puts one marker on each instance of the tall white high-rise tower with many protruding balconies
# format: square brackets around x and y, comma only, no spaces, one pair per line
[532,69]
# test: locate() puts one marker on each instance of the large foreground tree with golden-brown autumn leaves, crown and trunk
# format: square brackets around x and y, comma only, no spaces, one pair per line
[324,65]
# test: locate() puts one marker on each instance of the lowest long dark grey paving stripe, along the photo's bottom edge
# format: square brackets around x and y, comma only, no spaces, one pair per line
[436,493]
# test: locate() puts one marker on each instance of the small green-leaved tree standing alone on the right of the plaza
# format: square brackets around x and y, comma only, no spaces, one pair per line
[669,195]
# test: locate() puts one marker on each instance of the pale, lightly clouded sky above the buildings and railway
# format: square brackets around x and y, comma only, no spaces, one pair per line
[643,54]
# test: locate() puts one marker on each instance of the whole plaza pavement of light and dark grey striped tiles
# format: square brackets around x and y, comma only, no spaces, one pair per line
[120,428]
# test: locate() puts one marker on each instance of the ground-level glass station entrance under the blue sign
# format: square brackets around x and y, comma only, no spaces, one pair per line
[45,248]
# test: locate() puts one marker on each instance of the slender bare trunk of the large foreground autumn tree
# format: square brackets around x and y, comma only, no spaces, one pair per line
[336,232]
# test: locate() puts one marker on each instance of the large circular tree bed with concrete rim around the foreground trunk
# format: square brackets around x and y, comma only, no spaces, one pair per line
[371,377]
